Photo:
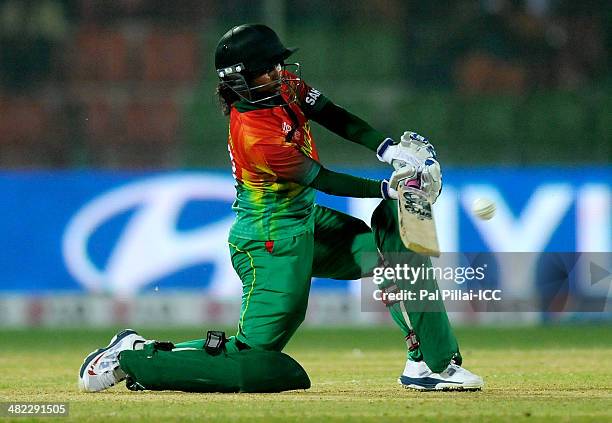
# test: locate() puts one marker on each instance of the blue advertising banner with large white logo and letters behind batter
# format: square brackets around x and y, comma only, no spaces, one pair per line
[125,232]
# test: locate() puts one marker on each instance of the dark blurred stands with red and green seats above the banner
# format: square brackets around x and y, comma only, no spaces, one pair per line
[129,83]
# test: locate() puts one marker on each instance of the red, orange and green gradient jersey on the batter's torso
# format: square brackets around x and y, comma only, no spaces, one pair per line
[274,159]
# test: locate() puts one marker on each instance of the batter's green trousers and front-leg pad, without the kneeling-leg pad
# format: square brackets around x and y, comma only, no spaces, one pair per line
[276,280]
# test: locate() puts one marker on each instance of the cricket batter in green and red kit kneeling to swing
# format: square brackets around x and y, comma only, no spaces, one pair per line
[281,239]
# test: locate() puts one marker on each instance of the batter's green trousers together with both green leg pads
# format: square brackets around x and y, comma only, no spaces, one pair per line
[276,276]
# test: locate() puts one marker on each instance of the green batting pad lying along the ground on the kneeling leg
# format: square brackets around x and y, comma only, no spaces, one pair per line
[194,370]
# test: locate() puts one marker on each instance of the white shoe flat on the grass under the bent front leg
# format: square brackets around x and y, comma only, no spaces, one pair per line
[417,375]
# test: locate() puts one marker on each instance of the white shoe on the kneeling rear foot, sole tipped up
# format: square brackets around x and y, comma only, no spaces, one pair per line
[100,369]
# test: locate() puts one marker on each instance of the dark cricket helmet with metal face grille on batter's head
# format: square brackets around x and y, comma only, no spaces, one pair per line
[245,52]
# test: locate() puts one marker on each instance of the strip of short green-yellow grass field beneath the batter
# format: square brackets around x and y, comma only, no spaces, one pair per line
[553,373]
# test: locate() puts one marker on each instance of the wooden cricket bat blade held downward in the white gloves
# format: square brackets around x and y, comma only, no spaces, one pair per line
[416,222]
